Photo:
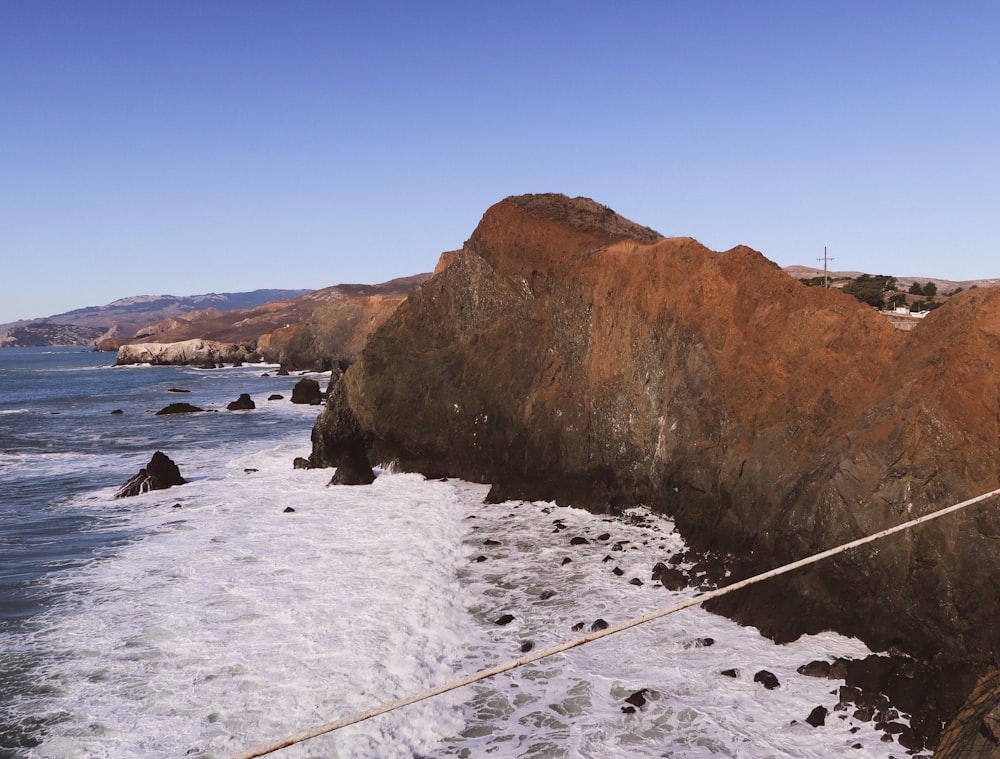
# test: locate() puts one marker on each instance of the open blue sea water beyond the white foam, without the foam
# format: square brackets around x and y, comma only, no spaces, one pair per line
[63,451]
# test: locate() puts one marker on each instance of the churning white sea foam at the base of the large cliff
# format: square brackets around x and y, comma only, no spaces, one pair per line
[230,623]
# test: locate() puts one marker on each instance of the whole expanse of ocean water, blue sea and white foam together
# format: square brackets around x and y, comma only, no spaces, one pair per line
[255,601]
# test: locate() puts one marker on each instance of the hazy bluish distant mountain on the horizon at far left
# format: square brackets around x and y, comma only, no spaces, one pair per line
[126,316]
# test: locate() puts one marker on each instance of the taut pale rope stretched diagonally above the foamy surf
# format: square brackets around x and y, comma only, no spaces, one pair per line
[597,635]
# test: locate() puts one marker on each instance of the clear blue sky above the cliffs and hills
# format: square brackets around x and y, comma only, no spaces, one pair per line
[188,147]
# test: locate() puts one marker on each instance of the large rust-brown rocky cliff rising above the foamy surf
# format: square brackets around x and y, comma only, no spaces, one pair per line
[566,353]
